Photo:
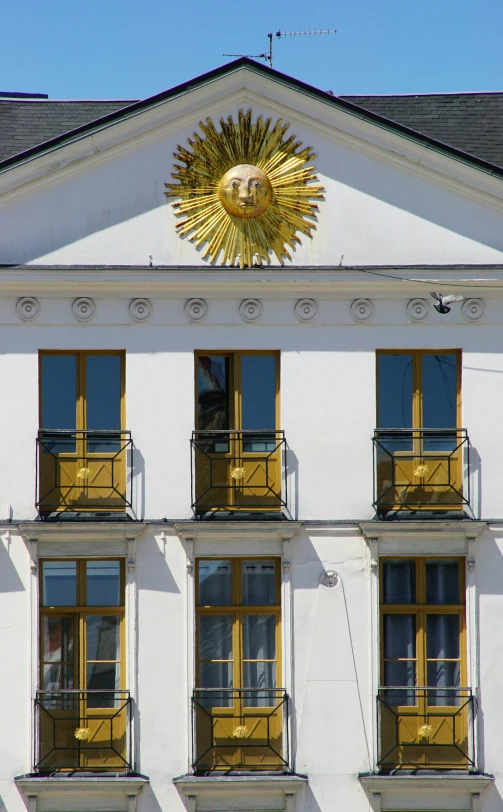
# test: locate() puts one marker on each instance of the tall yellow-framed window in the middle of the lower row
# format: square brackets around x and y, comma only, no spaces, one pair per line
[238,701]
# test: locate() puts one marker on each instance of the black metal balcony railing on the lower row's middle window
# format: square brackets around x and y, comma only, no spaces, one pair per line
[236,729]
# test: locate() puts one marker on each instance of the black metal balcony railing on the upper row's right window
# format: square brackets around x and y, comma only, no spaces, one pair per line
[418,469]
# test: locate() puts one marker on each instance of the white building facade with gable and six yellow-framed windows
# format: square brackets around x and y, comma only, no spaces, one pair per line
[251,524]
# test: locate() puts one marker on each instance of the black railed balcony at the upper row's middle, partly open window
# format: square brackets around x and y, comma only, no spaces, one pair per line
[238,471]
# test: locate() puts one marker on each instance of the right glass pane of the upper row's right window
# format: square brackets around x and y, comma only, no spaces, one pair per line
[439,390]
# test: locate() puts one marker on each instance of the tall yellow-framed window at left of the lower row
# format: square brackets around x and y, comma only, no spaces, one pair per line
[82,664]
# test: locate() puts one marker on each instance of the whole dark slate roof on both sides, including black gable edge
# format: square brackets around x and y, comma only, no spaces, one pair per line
[466,126]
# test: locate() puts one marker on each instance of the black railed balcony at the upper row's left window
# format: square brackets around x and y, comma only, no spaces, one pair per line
[83,471]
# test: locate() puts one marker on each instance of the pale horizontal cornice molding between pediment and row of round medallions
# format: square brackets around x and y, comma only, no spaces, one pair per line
[269,282]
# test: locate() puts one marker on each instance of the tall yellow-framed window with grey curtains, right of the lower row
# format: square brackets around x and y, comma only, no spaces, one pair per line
[423,702]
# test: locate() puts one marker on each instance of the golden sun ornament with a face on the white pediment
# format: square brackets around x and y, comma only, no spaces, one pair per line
[244,190]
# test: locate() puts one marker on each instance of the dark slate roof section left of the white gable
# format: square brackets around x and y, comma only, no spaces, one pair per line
[27,123]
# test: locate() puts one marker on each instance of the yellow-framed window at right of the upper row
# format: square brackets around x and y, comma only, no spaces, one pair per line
[418,443]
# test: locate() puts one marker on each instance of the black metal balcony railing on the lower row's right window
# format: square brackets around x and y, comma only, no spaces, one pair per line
[426,728]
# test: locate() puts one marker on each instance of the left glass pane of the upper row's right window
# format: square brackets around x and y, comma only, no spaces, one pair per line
[394,391]
